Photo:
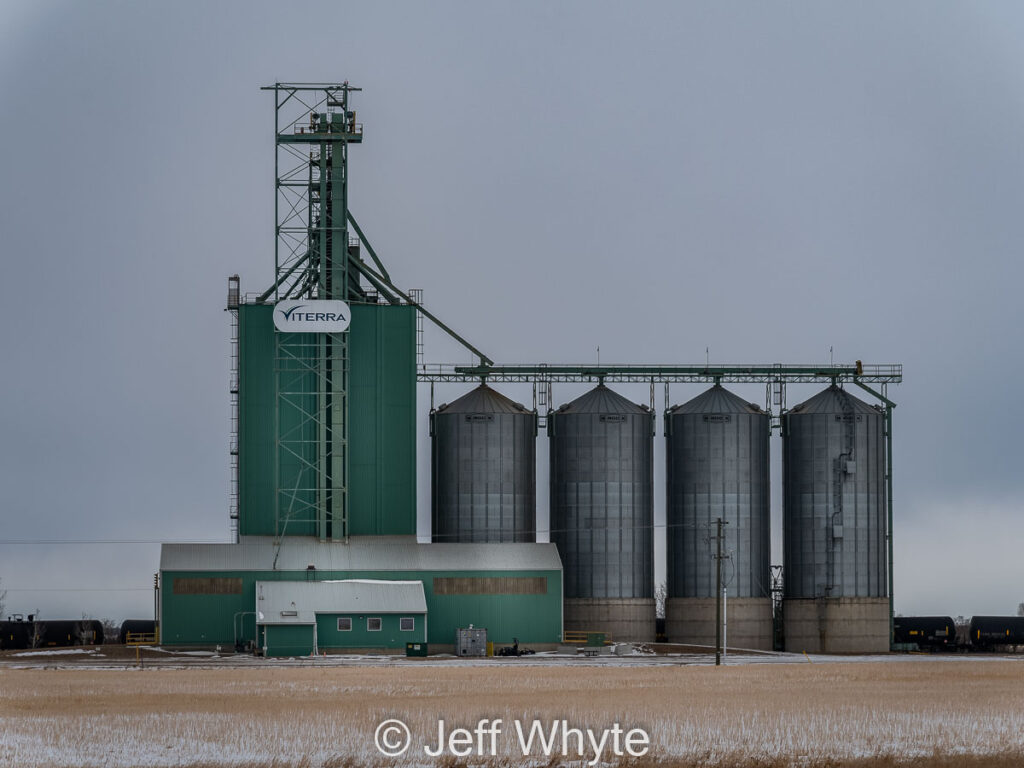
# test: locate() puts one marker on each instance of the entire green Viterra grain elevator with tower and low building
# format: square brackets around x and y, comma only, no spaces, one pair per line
[326,557]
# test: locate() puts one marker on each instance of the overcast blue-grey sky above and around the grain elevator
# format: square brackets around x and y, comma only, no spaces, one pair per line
[763,181]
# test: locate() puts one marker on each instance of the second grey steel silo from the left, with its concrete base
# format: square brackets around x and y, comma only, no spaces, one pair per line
[603,514]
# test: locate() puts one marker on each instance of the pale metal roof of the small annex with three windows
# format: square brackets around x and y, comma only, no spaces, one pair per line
[298,603]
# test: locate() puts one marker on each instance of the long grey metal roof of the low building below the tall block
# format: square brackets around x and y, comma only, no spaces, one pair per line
[362,553]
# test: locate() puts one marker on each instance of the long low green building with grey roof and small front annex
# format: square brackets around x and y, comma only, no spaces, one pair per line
[212,593]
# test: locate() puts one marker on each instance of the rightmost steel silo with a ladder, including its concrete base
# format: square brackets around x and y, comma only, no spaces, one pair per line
[836,596]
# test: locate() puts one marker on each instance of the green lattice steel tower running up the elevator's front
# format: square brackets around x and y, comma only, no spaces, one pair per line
[314,127]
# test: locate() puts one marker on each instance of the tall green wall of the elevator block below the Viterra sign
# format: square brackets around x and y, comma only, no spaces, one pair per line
[382,424]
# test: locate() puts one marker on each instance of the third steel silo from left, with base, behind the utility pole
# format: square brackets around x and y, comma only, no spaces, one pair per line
[717,462]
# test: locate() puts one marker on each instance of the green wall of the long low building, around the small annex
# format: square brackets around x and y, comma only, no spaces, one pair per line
[207,620]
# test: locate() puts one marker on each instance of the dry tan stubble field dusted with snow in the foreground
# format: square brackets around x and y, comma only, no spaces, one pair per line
[893,714]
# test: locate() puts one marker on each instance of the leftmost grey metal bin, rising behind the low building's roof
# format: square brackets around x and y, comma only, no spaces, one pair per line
[484,474]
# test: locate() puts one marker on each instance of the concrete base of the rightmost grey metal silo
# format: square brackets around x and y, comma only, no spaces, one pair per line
[842,625]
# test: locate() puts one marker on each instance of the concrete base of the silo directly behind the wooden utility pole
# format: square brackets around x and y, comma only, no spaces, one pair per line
[692,621]
